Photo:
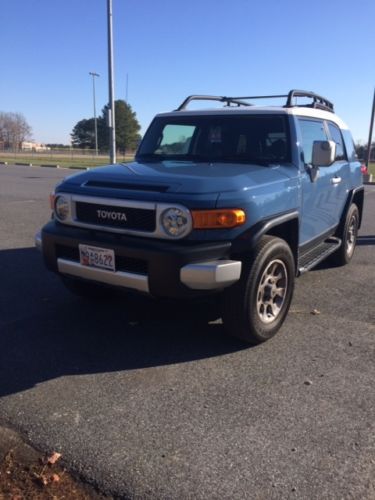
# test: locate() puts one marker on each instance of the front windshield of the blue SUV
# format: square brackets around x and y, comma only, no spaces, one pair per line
[259,139]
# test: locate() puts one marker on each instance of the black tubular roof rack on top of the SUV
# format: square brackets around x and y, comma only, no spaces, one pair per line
[318,101]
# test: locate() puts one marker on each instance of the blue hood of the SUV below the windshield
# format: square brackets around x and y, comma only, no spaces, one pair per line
[176,177]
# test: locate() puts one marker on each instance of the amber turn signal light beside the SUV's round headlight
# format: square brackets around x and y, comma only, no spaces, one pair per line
[218,219]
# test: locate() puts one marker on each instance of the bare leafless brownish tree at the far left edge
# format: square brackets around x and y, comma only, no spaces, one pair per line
[14,129]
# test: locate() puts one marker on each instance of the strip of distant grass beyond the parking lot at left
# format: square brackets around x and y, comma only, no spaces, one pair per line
[64,161]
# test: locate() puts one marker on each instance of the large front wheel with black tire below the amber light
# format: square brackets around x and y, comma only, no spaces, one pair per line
[256,306]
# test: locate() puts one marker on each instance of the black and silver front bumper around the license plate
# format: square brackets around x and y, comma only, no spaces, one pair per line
[163,269]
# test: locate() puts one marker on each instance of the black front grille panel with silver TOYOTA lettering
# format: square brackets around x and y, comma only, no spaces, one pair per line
[139,219]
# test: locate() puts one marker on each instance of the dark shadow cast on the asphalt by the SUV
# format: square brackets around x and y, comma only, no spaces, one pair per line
[46,332]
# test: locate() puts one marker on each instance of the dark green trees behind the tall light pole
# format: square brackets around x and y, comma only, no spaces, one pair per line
[127,129]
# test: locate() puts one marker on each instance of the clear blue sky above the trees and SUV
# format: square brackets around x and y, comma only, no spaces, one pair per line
[172,48]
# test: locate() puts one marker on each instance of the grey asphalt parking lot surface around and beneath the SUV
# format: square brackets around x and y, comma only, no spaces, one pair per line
[153,400]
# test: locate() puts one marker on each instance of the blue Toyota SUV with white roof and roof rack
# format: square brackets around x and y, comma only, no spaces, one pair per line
[236,201]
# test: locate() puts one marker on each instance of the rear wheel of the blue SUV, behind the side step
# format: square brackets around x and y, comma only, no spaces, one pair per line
[348,236]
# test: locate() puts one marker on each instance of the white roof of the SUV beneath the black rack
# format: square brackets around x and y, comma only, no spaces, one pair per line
[246,110]
